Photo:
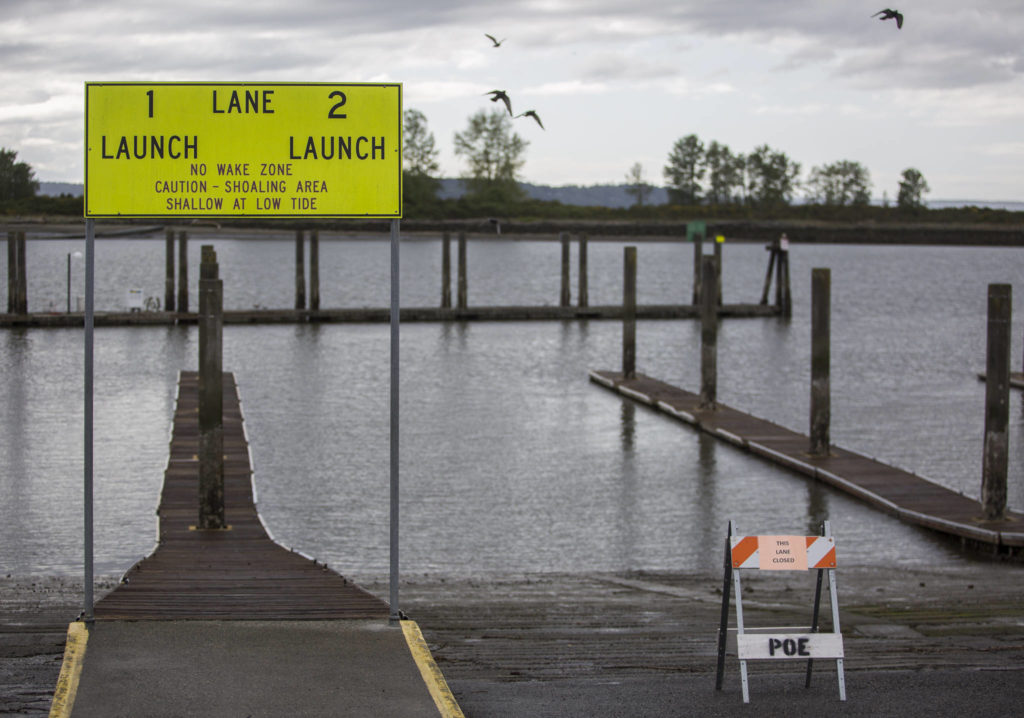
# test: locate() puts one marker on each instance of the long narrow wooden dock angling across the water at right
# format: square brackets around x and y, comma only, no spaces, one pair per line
[908,496]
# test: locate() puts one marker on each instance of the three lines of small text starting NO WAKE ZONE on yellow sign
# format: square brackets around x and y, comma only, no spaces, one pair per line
[244,195]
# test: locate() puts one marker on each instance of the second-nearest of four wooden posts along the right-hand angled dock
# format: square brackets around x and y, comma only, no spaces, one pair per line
[821,360]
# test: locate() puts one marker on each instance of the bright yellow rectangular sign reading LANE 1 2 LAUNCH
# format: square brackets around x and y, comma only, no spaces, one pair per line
[243,150]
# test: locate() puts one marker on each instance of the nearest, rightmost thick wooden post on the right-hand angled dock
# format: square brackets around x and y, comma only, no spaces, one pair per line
[994,476]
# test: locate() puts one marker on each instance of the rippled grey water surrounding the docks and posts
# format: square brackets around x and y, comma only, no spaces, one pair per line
[511,460]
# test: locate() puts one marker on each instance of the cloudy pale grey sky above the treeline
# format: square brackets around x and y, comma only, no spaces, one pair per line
[615,83]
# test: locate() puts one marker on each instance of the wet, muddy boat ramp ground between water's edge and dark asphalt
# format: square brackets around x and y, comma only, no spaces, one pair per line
[495,638]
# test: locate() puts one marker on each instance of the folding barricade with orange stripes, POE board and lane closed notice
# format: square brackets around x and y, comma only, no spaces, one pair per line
[766,644]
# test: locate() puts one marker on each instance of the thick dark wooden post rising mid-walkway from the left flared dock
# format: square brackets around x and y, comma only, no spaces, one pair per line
[211,408]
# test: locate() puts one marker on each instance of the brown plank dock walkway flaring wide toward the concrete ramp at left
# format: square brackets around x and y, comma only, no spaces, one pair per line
[240,574]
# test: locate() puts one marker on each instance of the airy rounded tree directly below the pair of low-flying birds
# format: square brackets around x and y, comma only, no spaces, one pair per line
[494,155]
